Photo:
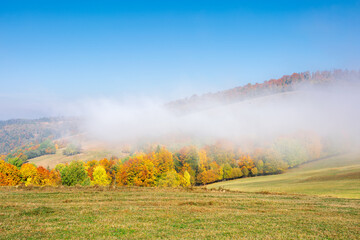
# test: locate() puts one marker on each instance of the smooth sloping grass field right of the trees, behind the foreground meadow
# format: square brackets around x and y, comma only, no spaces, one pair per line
[336,176]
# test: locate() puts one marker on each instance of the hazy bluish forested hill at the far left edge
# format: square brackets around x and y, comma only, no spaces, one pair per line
[18,132]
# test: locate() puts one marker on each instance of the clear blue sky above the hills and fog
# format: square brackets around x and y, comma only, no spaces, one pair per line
[68,50]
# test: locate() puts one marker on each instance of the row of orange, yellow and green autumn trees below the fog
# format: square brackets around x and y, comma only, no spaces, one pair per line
[158,166]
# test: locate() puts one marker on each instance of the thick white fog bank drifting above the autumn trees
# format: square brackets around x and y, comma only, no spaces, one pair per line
[330,111]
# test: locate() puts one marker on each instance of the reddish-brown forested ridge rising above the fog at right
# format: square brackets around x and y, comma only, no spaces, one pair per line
[284,84]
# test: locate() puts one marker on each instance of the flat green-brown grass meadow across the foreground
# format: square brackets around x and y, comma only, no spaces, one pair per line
[148,213]
